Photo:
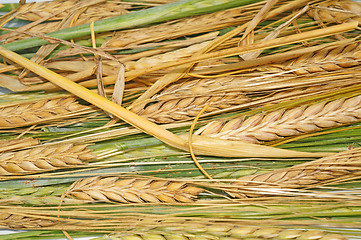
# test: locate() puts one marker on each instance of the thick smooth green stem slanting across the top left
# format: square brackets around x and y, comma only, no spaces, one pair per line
[156,14]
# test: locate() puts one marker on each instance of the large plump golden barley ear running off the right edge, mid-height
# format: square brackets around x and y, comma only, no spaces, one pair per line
[284,123]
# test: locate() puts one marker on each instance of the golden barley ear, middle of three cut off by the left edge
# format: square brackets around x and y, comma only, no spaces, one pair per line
[44,158]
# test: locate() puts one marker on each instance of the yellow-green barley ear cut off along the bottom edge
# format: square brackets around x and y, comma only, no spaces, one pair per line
[225,231]
